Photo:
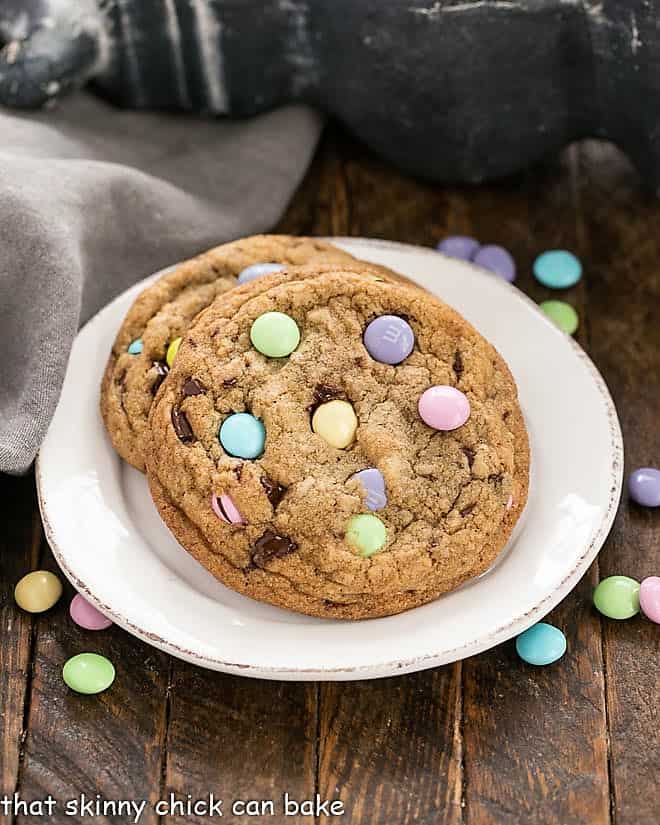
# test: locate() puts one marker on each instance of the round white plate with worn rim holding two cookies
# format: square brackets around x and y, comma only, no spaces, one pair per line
[109,541]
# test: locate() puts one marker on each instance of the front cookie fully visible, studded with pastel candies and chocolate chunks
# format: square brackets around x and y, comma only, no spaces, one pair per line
[339,445]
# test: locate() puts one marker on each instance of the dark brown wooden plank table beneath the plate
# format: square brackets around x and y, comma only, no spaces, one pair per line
[482,742]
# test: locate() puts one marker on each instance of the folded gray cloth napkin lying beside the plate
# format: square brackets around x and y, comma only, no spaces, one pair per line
[92,199]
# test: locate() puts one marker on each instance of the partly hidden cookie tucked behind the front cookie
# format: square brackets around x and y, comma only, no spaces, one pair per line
[149,336]
